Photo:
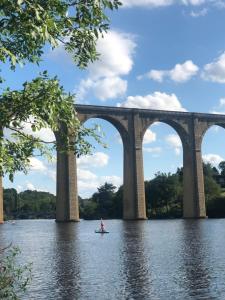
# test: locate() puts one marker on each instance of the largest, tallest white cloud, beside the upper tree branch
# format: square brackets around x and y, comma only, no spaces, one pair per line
[116,59]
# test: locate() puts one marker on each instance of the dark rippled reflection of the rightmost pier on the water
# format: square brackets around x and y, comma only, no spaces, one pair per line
[195,264]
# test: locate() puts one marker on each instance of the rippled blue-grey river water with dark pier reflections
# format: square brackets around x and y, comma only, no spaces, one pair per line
[169,259]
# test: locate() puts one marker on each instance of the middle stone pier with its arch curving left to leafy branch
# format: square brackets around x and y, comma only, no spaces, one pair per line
[133,207]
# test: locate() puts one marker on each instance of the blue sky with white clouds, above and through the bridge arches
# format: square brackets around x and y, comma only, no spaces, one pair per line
[159,54]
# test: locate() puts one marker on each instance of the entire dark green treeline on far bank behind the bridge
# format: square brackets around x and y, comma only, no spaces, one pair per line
[163,199]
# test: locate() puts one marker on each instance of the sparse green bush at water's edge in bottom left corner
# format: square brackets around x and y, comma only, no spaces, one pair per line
[13,277]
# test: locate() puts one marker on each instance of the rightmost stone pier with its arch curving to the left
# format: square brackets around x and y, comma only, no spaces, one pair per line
[189,130]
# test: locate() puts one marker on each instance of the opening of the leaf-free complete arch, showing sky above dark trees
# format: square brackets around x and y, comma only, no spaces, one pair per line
[166,140]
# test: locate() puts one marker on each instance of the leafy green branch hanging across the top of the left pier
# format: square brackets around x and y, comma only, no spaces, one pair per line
[42,103]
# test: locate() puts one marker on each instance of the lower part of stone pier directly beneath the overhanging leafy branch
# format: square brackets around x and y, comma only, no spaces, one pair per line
[67,208]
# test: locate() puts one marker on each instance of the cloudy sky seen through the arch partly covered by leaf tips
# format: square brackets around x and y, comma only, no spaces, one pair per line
[112,154]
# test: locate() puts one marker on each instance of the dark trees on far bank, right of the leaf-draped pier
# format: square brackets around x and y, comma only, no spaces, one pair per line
[164,195]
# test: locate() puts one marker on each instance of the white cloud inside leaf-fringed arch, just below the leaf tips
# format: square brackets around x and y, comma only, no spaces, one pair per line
[98,159]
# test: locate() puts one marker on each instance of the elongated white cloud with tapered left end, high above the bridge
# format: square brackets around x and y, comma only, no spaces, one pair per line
[180,73]
